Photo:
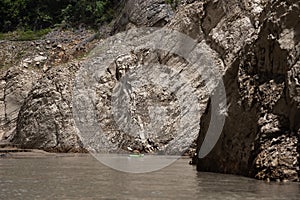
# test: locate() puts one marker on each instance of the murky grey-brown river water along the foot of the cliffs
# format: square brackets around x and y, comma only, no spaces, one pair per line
[83,177]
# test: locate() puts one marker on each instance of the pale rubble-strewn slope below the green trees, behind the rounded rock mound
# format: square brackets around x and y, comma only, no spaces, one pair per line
[23,65]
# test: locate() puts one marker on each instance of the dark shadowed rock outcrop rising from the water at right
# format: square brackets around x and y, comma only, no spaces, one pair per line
[261,133]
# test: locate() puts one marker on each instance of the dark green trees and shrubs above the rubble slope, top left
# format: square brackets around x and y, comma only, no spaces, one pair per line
[41,14]
